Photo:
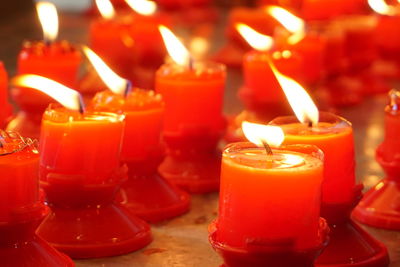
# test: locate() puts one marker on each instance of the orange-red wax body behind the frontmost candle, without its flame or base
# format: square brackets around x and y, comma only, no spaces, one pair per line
[334,136]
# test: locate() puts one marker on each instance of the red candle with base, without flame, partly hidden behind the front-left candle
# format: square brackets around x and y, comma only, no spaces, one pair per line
[146,193]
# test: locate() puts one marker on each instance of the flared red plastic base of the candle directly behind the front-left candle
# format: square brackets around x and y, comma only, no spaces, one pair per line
[151,197]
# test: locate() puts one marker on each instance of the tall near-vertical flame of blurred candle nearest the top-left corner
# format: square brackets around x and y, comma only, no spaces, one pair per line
[48,17]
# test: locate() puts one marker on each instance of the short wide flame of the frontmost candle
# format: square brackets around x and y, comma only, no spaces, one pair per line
[260,134]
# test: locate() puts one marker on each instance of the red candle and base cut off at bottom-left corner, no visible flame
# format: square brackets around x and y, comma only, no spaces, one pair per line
[19,244]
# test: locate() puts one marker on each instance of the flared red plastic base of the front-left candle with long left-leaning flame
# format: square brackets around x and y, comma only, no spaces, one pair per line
[90,225]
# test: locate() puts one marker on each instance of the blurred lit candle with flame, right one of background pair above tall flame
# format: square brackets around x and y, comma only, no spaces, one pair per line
[308,46]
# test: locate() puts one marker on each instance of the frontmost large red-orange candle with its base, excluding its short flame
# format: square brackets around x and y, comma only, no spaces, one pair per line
[258,223]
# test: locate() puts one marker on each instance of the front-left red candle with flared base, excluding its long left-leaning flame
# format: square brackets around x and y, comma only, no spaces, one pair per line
[80,173]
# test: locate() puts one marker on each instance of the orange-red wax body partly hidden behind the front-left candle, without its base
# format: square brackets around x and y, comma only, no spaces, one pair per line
[144,111]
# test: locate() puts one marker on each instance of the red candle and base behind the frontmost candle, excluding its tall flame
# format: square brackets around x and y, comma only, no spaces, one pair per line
[334,136]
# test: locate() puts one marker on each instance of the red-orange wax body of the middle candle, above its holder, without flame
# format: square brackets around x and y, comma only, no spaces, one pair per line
[193,97]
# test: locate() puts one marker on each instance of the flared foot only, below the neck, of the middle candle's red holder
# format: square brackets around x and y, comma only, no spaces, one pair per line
[196,173]
